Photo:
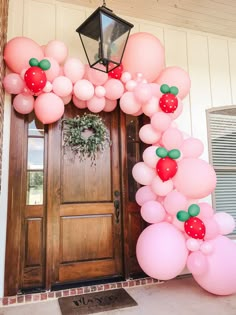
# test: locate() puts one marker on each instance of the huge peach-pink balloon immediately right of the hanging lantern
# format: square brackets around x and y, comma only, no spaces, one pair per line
[144,53]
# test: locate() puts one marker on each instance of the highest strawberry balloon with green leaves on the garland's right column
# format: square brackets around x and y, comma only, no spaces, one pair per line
[168,102]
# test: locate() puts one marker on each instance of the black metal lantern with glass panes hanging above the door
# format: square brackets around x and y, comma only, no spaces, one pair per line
[104,36]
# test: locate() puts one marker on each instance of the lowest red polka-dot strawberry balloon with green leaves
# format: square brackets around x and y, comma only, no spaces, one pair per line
[193,226]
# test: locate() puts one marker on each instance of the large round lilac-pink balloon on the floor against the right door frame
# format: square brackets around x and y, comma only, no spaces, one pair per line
[161,251]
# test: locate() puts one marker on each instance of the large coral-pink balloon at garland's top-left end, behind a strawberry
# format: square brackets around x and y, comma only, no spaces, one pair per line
[19,50]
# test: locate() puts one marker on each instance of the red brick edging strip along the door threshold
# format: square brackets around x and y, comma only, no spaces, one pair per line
[36,297]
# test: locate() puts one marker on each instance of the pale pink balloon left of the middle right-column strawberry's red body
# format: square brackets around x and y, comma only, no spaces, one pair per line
[143,174]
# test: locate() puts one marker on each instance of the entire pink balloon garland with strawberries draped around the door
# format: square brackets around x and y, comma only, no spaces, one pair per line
[183,231]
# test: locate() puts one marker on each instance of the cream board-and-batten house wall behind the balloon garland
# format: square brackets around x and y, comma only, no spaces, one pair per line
[209,59]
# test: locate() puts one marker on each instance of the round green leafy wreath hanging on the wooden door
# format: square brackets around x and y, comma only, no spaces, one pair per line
[74,135]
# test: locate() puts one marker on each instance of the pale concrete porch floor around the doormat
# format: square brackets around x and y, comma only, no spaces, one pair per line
[180,296]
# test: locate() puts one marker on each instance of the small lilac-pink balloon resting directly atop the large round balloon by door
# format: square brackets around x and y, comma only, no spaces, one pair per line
[153,212]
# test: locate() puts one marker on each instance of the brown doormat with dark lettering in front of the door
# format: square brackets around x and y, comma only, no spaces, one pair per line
[95,302]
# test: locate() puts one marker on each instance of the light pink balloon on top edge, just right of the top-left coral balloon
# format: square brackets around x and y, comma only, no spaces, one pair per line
[57,50]
